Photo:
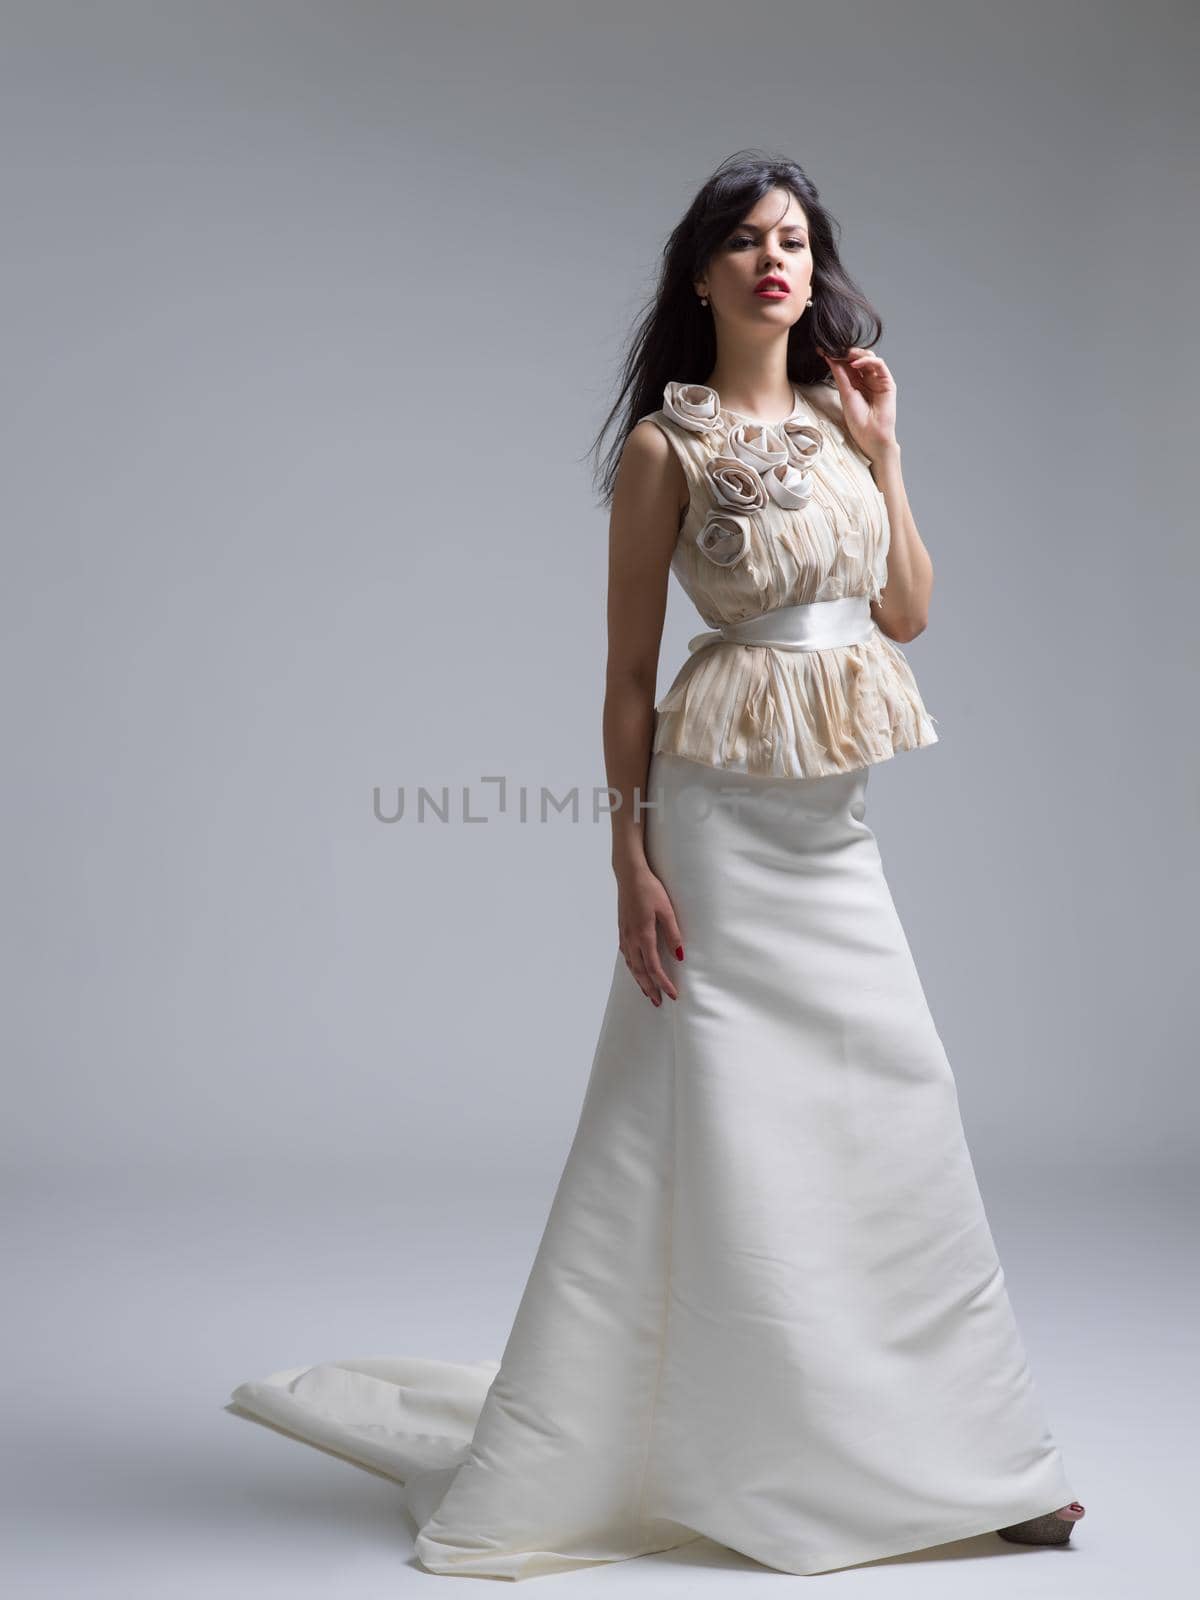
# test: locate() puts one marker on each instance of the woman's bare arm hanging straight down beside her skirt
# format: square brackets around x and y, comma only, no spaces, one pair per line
[649,497]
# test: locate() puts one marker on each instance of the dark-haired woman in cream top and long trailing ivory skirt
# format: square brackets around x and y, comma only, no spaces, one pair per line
[767,1305]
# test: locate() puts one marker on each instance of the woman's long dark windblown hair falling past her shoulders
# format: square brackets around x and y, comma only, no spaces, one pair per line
[674,338]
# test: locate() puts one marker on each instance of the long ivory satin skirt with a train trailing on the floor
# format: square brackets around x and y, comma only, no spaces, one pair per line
[767,1306]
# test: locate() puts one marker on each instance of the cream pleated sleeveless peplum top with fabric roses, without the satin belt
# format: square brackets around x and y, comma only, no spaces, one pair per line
[761,535]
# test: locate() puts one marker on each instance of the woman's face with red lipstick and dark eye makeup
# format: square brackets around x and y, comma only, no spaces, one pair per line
[770,242]
